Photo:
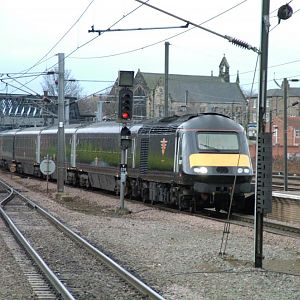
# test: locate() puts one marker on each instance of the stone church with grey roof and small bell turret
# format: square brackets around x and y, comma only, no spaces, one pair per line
[187,94]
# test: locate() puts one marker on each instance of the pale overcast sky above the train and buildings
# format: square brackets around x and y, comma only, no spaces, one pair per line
[33,32]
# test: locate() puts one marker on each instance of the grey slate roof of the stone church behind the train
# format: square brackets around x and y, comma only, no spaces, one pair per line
[208,89]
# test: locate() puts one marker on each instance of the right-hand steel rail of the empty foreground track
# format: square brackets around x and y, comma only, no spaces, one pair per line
[127,276]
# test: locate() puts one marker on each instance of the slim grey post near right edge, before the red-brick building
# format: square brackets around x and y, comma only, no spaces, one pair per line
[285,128]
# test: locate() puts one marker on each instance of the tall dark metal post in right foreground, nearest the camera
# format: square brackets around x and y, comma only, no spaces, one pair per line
[259,213]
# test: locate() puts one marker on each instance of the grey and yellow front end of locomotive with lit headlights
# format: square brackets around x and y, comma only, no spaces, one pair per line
[217,159]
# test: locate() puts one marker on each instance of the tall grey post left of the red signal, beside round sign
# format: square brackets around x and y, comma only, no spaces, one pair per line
[61,131]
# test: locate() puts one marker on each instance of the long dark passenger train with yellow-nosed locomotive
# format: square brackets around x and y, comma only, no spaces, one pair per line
[191,161]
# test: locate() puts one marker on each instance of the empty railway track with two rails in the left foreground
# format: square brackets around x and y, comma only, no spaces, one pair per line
[74,268]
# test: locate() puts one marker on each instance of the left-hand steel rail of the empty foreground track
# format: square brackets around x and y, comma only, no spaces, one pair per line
[56,283]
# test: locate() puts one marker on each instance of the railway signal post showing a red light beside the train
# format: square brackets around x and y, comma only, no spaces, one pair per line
[125,111]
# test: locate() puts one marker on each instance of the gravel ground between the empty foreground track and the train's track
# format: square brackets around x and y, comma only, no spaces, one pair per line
[175,253]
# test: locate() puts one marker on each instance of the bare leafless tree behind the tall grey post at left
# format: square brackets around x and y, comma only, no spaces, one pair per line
[72,87]
